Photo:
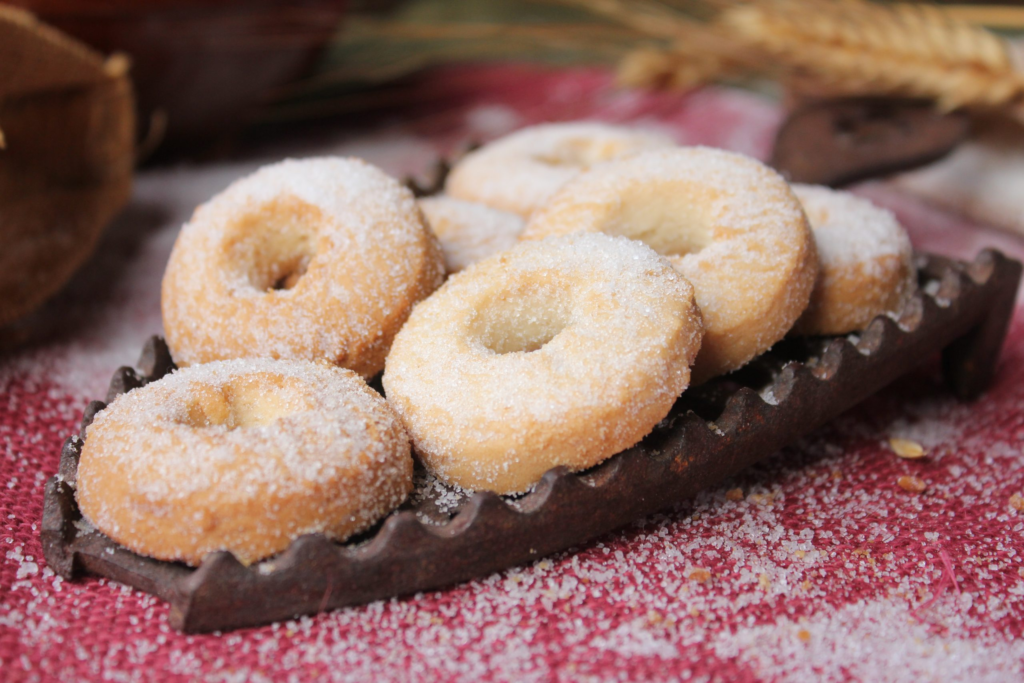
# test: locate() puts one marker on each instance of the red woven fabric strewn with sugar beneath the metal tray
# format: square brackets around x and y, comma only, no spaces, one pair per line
[823,570]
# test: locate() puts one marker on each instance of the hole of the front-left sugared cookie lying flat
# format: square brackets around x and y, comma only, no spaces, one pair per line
[244,403]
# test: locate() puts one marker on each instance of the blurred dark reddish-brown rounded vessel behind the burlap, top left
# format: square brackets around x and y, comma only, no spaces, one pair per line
[201,68]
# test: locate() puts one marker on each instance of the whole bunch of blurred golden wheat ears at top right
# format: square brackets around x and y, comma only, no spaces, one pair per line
[821,48]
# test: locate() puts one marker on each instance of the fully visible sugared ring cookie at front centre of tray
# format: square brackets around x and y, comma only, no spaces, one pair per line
[557,353]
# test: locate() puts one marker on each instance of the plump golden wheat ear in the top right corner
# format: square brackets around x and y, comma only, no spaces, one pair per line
[854,48]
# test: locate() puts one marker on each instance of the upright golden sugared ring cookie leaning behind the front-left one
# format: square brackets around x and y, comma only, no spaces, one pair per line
[320,260]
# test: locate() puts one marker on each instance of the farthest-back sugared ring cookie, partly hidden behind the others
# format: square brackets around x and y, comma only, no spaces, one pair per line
[521,173]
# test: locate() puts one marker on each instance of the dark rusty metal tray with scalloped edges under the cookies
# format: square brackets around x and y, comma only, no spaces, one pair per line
[808,382]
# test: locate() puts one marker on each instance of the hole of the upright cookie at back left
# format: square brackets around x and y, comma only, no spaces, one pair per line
[274,245]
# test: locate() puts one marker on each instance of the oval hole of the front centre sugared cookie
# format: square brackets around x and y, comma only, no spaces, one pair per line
[521,322]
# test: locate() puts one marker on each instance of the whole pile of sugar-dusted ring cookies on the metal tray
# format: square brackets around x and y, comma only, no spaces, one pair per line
[548,310]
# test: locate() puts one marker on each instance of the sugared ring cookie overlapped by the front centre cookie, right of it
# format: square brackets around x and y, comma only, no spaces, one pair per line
[730,225]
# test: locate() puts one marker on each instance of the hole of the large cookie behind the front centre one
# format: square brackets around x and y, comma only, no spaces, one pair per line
[664,219]
